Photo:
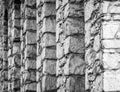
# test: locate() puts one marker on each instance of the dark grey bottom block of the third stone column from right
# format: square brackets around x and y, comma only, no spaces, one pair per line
[48,83]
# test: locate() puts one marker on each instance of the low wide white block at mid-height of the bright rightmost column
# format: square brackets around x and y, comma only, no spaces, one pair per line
[111,43]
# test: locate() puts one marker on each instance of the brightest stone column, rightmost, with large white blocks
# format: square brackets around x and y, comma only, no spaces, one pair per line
[102,30]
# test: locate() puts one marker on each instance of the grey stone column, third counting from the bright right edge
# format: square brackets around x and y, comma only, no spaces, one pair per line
[46,46]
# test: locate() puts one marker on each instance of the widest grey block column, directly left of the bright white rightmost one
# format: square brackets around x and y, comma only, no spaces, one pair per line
[70,46]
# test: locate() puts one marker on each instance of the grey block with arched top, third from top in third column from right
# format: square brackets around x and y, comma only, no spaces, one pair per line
[48,40]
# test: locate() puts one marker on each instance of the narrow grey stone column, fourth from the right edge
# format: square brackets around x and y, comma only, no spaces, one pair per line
[28,46]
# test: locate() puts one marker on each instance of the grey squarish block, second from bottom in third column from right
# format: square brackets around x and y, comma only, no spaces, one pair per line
[49,67]
